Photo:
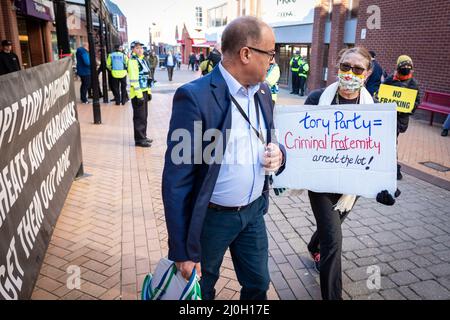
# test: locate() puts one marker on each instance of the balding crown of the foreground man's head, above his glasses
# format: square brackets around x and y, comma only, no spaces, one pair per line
[242,32]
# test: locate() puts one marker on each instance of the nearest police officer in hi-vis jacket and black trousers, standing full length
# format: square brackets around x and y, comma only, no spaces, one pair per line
[140,93]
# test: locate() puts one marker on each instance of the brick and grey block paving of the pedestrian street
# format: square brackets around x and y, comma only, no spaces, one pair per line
[112,225]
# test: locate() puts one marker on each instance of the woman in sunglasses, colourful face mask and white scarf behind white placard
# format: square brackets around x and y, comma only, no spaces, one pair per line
[330,209]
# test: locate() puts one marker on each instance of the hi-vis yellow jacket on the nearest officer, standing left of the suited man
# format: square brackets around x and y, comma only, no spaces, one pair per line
[138,72]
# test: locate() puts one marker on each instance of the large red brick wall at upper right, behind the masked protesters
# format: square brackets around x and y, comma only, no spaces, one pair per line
[420,29]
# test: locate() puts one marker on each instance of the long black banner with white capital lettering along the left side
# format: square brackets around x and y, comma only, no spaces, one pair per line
[40,155]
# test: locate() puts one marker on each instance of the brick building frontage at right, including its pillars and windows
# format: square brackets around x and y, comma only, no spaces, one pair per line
[416,28]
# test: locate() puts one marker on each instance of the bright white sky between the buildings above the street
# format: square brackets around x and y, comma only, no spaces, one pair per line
[142,13]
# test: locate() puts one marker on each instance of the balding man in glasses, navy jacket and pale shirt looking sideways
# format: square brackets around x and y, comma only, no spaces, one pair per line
[217,202]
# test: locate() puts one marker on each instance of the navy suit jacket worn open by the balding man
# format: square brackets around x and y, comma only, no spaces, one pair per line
[187,188]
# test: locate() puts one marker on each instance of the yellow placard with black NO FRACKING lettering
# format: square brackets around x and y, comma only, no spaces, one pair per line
[403,97]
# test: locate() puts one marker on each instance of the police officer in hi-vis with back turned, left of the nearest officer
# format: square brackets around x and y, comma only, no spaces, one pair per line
[117,63]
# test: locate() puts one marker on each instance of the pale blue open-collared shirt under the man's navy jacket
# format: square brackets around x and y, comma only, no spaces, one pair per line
[241,177]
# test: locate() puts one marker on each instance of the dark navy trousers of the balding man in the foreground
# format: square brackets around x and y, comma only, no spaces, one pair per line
[244,232]
